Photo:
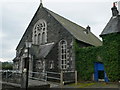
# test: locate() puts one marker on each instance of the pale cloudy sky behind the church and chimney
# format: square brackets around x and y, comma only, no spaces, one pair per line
[15,16]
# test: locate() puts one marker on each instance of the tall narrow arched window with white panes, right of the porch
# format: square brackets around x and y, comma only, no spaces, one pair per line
[63,54]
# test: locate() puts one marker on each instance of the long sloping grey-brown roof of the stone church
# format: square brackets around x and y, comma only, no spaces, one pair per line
[76,30]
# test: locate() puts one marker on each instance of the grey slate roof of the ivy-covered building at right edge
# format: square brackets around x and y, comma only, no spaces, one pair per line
[113,26]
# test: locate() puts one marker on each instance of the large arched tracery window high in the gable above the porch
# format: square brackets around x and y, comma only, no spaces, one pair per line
[40,30]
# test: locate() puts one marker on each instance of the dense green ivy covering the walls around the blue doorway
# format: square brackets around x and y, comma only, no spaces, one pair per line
[109,54]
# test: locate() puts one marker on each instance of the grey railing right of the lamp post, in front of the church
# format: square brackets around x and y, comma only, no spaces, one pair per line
[55,76]
